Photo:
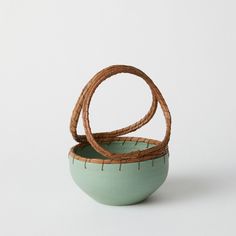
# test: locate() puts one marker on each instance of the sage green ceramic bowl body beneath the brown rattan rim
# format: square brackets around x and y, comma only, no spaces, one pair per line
[115,184]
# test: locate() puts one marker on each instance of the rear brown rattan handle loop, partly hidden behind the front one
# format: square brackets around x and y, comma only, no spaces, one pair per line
[105,135]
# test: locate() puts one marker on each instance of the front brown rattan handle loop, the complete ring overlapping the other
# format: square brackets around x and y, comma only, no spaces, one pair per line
[97,80]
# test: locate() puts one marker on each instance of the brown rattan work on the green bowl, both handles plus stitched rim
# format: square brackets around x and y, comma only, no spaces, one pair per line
[82,105]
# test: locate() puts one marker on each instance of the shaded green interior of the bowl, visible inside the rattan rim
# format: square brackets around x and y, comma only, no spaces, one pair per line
[115,146]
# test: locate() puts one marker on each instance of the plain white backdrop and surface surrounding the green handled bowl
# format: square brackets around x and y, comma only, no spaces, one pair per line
[49,49]
